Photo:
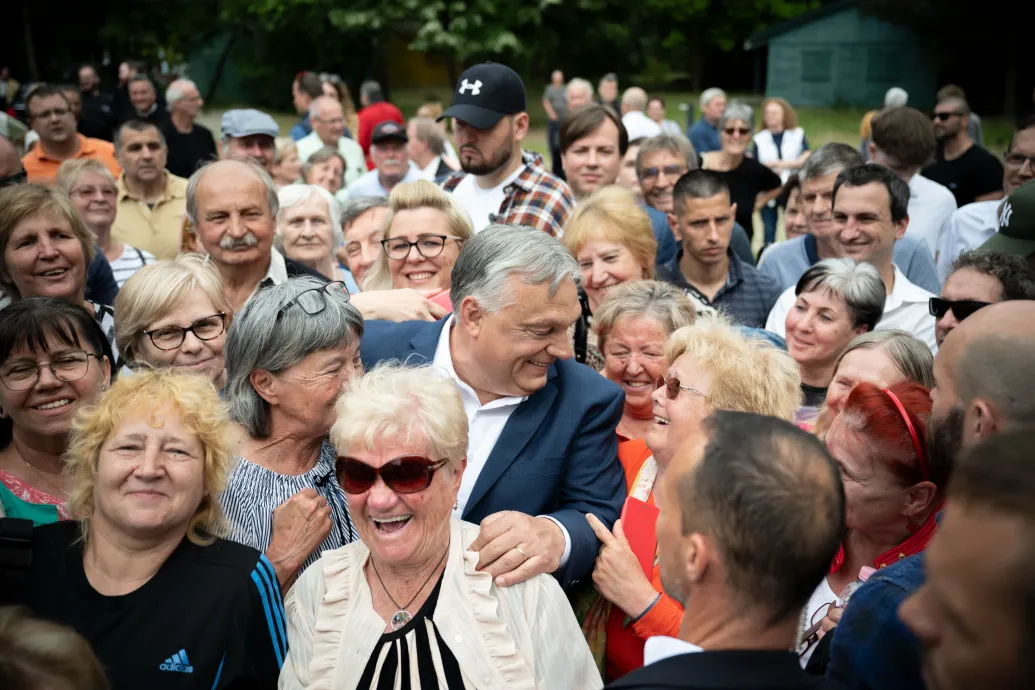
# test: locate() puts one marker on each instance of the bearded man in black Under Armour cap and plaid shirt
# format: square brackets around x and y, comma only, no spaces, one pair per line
[500,184]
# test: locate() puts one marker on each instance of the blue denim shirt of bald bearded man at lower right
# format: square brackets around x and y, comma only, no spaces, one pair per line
[872,649]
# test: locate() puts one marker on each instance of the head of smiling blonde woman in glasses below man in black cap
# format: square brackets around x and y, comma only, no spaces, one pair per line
[425,231]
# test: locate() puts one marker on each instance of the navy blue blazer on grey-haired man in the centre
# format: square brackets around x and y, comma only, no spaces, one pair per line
[557,456]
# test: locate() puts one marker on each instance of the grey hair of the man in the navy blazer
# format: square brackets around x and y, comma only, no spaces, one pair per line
[488,261]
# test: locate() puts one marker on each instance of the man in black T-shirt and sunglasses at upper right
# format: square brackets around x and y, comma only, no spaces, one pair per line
[970,172]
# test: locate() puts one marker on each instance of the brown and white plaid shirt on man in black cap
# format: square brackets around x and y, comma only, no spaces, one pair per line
[536,198]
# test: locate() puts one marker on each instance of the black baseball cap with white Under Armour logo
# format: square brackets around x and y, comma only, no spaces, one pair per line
[486,94]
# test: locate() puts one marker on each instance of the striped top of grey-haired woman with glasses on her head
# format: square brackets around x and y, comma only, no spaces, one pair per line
[253,493]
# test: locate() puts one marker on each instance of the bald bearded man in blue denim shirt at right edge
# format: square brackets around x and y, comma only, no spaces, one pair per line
[984,383]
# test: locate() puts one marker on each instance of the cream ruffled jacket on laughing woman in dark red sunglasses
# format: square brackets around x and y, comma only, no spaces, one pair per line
[519,638]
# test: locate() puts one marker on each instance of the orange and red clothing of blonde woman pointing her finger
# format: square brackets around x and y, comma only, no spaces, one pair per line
[626,646]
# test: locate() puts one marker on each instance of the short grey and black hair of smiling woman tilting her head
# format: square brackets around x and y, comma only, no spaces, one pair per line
[857,283]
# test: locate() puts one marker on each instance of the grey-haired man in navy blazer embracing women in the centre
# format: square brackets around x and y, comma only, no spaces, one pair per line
[543,451]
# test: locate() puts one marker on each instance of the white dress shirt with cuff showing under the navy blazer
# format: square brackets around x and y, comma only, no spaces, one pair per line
[486,424]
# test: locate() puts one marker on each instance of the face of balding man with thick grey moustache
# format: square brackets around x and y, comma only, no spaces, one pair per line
[234,221]
